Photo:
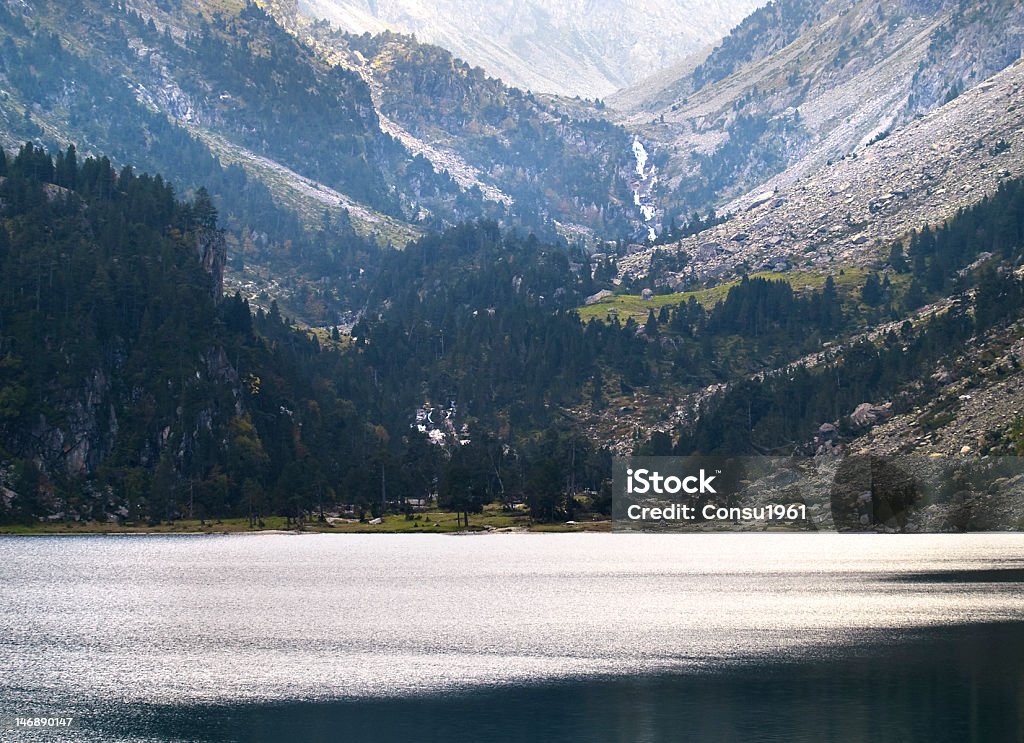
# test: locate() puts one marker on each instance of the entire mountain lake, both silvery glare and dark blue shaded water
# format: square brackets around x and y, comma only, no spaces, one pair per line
[517,638]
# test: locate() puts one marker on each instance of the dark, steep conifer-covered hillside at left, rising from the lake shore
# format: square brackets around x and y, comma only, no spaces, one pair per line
[133,389]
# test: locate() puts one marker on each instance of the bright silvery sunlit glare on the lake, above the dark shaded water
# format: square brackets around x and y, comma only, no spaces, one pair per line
[179,620]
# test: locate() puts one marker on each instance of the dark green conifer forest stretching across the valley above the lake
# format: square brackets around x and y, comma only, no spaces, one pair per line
[131,386]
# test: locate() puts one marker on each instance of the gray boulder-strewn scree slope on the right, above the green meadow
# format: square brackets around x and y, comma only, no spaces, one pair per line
[849,213]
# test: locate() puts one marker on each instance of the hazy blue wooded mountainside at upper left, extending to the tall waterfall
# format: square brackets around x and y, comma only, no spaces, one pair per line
[308,173]
